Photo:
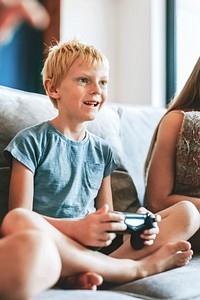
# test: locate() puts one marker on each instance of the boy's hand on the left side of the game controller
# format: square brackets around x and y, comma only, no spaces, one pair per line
[97,229]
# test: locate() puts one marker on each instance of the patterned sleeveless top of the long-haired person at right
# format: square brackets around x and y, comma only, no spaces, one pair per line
[187,179]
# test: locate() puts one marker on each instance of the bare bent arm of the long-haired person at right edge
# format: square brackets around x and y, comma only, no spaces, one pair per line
[160,180]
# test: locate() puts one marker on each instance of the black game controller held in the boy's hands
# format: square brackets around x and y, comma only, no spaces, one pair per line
[136,224]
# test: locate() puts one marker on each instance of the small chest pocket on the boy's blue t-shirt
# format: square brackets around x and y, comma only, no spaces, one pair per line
[94,174]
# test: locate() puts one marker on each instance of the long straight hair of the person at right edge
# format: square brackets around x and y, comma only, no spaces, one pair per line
[189,98]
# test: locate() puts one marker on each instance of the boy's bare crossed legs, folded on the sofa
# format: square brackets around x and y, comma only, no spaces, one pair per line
[167,251]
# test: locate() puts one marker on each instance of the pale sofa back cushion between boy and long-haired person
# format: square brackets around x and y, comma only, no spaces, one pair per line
[137,127]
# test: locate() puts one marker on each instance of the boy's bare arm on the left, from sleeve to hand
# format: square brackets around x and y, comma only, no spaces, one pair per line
[91,230]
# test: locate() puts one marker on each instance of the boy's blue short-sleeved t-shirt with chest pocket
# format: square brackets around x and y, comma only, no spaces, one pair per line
[67,174]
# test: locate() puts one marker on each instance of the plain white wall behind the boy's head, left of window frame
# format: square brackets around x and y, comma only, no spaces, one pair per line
[131,34]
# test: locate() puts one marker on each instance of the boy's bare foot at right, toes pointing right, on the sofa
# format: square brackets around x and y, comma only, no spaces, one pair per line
[171,255]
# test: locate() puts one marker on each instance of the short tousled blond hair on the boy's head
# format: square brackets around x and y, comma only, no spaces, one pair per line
[61,56]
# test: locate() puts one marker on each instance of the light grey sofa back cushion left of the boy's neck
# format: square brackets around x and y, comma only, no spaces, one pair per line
[19,109]
